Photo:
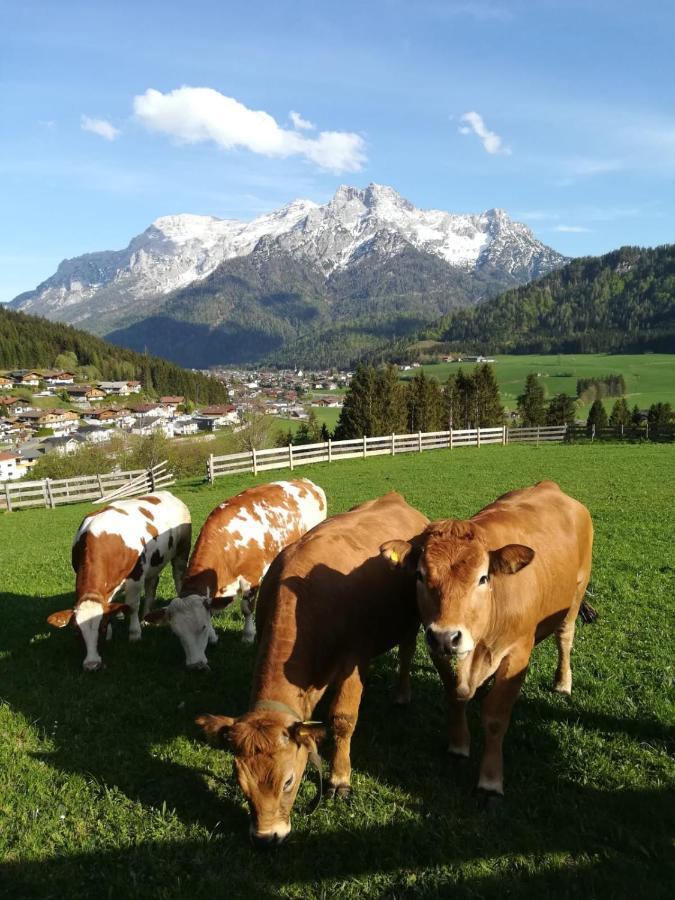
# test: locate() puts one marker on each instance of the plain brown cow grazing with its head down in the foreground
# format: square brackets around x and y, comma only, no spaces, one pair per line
[327,606]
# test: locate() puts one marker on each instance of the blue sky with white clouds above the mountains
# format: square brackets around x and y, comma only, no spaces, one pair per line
[560,112]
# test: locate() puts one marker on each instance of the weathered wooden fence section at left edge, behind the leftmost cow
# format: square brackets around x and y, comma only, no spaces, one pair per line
[51,492]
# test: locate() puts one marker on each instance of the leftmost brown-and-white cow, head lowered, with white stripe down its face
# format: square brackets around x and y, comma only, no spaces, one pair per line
[124,546]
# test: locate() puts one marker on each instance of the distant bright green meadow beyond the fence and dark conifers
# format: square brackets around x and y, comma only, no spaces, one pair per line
[650,377]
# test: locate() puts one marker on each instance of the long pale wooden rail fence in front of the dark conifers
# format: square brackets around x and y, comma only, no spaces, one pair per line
[388,445]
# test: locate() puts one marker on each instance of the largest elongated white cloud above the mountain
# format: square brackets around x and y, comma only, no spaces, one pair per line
[192,115]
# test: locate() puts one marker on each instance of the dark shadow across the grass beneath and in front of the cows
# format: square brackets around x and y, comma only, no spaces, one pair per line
[553,836]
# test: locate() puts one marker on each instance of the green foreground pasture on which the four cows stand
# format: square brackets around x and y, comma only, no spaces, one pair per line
[107,791]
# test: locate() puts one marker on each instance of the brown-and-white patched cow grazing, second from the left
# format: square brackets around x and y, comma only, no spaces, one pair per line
[239,540]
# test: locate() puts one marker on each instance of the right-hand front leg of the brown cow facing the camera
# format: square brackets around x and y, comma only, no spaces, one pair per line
[496,715]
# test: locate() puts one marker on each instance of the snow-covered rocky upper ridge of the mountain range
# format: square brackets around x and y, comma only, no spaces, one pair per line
[177,251]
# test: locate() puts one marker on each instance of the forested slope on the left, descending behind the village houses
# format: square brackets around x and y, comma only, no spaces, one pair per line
[30,341]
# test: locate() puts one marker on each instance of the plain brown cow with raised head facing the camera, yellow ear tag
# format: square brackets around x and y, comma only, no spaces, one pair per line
[488,590]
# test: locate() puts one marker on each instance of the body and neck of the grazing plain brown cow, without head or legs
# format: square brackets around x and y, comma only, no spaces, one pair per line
[331,593]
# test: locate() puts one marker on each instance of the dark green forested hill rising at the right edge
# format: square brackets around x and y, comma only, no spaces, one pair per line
[623,301]
